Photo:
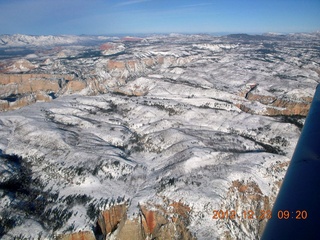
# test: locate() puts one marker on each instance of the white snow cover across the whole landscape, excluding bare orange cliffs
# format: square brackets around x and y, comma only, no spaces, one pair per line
[187,127]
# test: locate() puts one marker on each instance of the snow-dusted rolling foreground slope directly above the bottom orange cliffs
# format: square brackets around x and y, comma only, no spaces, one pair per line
[107,147]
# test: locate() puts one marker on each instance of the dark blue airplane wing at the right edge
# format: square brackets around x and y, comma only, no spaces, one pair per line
[296,212]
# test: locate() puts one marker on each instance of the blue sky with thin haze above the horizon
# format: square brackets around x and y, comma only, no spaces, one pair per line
[157,16]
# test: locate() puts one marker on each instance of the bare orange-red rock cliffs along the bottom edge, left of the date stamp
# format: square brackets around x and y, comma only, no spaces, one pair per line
[152,222]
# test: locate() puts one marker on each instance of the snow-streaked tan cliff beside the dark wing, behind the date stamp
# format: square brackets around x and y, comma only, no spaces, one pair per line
[251,206]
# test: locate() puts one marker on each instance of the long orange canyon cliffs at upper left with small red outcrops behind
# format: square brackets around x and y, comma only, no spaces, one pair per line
[22,88]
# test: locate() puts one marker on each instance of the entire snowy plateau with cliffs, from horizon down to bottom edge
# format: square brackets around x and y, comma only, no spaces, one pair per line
[145,138]
